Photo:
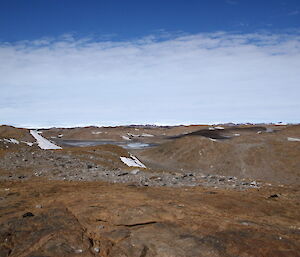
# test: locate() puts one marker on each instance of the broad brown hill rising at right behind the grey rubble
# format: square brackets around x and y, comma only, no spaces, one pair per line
[255,154]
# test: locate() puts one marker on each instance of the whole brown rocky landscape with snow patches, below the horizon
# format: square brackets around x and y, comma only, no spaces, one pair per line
[221,190]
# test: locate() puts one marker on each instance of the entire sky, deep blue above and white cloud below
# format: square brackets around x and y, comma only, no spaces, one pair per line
[165,62]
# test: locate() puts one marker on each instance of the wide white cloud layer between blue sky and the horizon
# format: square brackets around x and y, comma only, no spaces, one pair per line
[174,79]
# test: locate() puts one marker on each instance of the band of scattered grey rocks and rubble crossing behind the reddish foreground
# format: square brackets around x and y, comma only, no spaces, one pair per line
[26,164]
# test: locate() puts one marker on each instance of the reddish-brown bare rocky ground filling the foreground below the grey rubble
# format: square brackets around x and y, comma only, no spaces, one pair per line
[77,219]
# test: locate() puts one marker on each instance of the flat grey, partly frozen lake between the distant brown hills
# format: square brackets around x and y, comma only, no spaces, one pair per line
[83,143]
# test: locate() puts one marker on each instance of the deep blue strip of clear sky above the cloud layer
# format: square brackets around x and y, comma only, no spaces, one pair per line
[117,19]
